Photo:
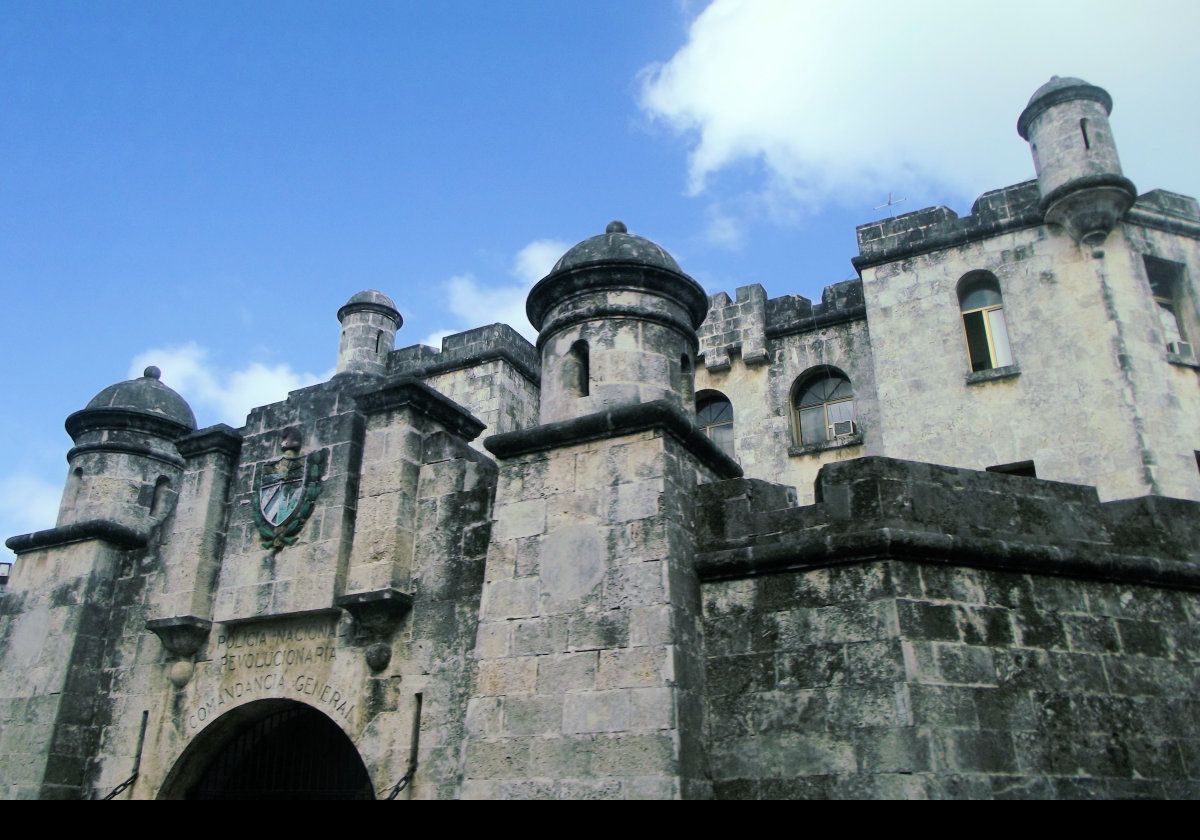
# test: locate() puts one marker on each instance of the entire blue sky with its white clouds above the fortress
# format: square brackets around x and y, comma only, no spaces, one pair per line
[202,185]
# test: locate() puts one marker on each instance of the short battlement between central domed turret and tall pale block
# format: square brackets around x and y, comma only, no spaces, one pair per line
[745,323]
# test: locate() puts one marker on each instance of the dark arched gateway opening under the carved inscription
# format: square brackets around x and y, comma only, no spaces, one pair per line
[271,749]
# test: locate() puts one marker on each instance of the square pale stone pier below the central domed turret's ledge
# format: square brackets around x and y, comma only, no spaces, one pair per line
[590,659]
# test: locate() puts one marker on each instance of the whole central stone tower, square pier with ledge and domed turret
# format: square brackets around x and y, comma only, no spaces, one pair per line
[591,681]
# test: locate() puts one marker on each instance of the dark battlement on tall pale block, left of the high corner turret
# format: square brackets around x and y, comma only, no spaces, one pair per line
[934,229]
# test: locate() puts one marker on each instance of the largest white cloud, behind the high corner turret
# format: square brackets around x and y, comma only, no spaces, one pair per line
[842,101]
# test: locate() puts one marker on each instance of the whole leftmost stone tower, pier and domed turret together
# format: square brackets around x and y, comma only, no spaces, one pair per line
[77,583]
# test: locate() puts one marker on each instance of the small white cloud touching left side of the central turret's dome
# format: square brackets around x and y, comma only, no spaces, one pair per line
[476,304]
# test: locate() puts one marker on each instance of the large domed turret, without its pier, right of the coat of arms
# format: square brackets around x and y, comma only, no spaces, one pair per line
[617,325]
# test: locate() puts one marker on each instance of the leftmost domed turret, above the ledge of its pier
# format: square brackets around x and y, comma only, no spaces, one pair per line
[125,467]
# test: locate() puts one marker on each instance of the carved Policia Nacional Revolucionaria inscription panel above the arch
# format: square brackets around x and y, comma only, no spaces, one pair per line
[277,662]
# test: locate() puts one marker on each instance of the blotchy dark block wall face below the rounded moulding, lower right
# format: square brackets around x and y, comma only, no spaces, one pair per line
[905,680]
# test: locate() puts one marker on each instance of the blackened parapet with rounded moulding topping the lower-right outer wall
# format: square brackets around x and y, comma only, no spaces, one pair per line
[875,507]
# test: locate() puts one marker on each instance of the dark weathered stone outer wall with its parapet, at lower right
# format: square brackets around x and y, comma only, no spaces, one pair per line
[913,638]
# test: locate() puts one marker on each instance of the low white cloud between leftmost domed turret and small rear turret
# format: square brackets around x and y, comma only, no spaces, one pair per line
[225,395]
